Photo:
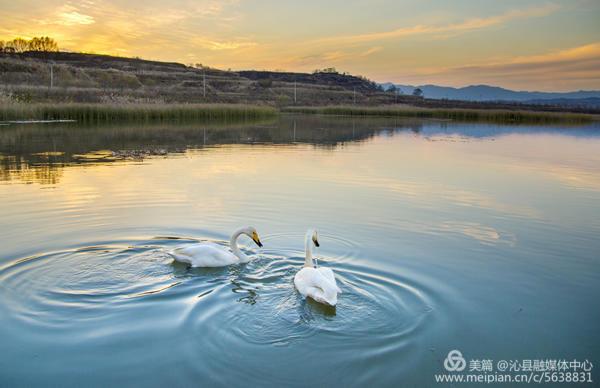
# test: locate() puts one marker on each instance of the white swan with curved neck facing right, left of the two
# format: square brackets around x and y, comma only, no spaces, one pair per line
[207,254]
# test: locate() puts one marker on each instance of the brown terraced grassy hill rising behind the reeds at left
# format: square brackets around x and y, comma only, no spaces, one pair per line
[77,77]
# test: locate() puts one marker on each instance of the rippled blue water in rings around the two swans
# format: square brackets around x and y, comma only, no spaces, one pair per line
[115,289]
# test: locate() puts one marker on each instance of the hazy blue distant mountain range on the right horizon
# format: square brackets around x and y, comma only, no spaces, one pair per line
[494,93]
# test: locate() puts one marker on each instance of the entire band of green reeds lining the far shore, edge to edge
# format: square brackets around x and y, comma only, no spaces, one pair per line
[98,113]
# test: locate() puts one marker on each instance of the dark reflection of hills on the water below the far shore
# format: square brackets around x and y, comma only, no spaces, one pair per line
[38,153]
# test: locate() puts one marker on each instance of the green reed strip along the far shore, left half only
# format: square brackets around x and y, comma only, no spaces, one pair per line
[95,113]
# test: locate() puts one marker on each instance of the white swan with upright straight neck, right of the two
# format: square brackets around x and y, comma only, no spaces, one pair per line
[313,281]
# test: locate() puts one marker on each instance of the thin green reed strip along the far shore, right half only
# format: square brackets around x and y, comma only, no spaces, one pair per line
[504,116]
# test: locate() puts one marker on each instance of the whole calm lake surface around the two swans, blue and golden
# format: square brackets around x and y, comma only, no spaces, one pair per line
[477,237]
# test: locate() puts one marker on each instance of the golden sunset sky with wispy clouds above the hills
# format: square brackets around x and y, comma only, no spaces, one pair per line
[524,45]
